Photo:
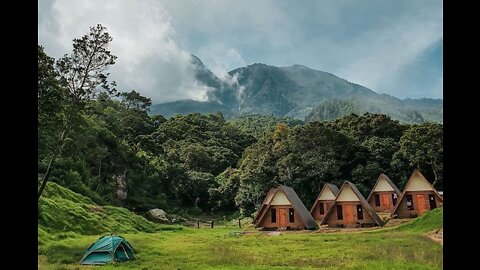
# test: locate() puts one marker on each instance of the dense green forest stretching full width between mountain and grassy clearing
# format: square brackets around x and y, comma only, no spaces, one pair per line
[102,143]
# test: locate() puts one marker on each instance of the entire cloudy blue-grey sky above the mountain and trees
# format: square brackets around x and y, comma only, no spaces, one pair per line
[389,46]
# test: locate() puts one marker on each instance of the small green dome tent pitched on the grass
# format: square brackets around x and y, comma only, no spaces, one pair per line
[110,248]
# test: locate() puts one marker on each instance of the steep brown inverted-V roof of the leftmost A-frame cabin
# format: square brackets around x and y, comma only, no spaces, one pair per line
[294,200]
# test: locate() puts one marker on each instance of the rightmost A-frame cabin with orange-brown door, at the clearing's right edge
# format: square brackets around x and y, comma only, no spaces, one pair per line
[418,197]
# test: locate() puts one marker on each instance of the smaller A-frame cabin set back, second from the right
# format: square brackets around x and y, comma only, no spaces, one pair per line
[384,195]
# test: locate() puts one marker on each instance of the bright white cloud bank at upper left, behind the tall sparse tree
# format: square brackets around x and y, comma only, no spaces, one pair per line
[149,59]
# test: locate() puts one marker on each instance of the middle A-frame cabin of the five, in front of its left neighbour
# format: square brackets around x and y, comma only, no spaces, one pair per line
[351,209]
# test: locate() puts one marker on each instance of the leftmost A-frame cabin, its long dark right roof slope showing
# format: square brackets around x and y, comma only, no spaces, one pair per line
[282,209]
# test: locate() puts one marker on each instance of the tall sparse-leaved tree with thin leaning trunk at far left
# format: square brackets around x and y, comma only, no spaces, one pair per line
[84,75]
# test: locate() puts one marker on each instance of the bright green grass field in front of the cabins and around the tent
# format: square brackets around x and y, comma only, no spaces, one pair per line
[174,247]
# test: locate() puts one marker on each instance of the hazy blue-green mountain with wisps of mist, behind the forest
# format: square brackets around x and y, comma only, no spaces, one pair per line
[295,91]
